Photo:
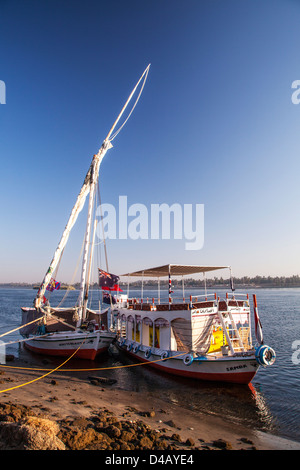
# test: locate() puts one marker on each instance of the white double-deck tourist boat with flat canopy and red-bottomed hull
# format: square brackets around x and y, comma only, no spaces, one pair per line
[206,336]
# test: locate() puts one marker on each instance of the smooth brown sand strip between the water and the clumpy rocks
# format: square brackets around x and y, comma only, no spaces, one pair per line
[71,395]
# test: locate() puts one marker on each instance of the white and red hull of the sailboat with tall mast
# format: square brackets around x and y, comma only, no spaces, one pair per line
[64,344]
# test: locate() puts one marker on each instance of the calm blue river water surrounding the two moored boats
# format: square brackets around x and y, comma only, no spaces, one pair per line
[271,403]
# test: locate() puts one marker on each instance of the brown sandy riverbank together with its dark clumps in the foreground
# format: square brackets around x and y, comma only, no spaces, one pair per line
[65,397]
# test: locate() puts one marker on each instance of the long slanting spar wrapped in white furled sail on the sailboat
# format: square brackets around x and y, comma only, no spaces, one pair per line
[88,185]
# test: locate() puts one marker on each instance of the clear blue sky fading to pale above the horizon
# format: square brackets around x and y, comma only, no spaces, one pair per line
[215,125]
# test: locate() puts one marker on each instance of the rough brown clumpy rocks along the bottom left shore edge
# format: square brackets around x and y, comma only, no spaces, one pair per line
[22,428]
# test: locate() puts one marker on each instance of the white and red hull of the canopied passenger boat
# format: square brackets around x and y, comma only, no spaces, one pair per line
[234,369]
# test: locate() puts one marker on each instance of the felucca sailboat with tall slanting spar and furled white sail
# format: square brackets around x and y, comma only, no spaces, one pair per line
[79,329]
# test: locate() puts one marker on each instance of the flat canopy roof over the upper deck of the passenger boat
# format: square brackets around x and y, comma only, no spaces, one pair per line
[175,270]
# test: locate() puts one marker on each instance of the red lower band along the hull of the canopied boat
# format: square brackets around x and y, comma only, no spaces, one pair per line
[238,377]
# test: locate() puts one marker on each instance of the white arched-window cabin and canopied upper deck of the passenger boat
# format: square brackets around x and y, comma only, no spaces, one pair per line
[202,324]
